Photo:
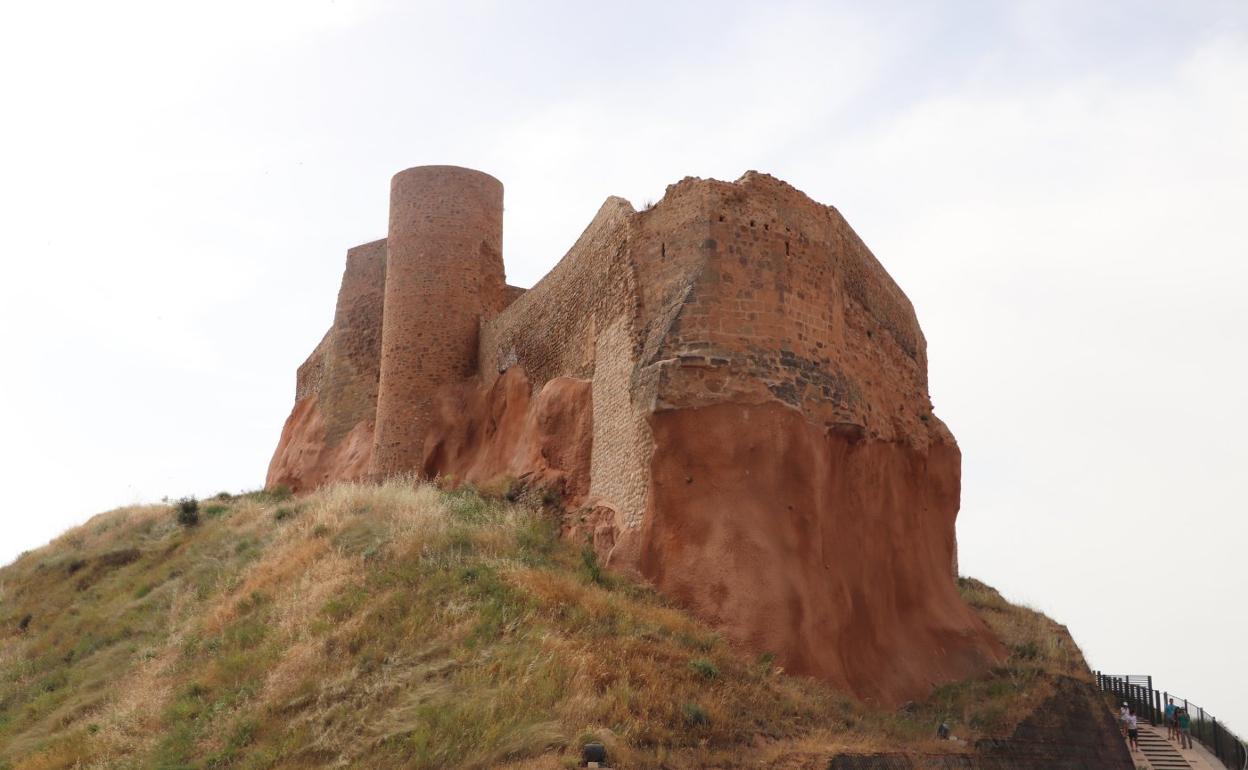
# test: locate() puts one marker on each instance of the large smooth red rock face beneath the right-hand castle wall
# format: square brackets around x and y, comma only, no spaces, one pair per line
[823,547]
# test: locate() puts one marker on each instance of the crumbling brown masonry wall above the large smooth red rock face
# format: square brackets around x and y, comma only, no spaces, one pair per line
[783,281]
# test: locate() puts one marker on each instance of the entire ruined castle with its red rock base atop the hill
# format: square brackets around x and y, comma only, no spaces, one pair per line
[728,387]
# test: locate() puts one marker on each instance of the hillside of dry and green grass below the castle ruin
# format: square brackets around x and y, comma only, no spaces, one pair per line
[406,627]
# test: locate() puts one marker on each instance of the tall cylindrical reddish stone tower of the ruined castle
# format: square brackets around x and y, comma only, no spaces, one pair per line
[444,273]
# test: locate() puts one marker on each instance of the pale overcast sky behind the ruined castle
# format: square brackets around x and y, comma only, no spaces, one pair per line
[1060,188]
